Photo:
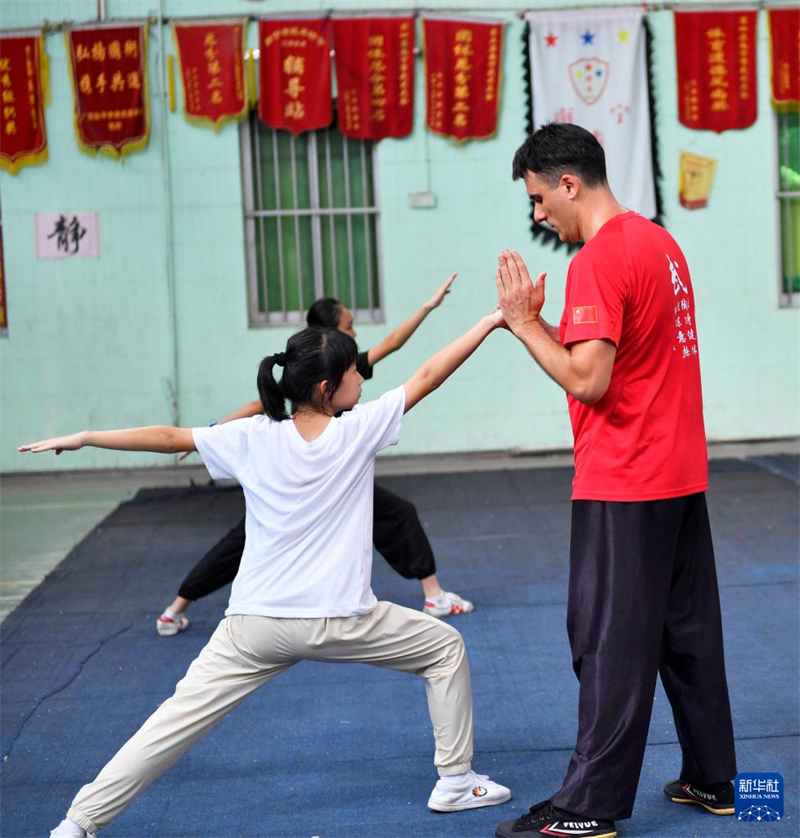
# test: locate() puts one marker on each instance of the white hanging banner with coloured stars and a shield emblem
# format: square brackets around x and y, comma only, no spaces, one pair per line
[589,68]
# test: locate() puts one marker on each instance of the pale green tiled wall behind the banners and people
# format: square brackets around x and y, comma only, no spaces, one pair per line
[91,342]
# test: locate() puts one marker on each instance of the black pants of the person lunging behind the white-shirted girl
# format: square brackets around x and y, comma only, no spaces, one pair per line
[397,534]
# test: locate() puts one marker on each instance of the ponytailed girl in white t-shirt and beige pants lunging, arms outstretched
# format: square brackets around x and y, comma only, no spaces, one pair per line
[303,588]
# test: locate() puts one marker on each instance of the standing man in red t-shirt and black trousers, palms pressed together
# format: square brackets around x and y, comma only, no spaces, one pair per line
[643,594]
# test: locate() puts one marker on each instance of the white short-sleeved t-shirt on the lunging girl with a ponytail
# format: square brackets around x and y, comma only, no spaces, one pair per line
[308,547]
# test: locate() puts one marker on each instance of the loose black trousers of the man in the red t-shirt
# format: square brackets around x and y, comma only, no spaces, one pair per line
[643,600]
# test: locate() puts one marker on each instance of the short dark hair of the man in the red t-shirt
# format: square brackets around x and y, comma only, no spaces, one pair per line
[560,147]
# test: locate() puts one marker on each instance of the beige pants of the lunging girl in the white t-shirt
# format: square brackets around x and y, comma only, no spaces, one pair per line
[246,652]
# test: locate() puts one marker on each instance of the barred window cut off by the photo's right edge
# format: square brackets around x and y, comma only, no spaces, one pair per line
[789,205]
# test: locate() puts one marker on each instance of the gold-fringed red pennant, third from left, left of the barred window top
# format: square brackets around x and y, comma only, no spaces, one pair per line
[211,57]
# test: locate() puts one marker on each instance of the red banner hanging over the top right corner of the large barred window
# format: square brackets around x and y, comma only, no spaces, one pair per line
[375,76]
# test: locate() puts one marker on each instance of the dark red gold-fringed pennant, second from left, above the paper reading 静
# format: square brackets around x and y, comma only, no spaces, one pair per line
[109,84]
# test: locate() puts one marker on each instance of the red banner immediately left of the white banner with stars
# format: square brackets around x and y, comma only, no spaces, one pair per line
[462,77]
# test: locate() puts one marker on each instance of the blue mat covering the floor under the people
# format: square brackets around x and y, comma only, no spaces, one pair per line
[346,751]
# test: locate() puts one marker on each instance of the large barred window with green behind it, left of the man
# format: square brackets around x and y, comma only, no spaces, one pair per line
[311,223]
